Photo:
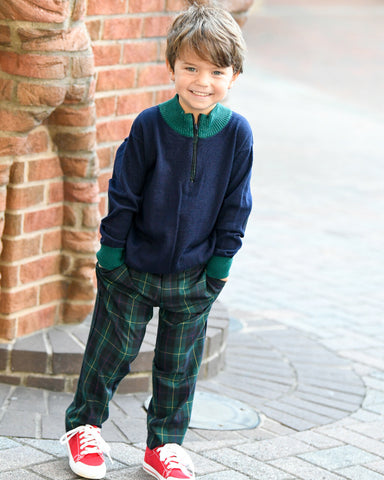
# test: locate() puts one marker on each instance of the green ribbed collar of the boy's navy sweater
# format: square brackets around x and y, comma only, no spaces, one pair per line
[182,123]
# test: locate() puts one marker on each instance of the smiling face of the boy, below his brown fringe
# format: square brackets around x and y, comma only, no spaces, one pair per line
[199,83]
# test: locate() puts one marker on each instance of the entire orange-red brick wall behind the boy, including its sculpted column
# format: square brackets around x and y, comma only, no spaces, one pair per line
[73,76]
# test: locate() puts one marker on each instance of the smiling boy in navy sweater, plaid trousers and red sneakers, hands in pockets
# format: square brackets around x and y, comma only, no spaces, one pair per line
[179,200]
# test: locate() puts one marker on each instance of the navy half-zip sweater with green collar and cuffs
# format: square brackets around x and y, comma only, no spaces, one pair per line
[180,194]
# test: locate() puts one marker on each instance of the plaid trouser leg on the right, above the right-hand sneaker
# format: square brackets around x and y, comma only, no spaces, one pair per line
[187,300]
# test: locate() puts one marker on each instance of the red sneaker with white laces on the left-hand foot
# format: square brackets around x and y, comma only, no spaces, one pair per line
[85,451]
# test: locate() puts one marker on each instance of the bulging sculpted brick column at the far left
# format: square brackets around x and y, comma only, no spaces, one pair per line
[48,167]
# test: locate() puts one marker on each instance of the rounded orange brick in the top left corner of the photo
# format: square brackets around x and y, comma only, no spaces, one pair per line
[47,11]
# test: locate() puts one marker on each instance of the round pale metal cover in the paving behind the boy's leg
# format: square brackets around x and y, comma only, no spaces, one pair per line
[215,412]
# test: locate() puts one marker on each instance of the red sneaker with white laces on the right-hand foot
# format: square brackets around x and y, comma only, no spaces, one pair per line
[168,462]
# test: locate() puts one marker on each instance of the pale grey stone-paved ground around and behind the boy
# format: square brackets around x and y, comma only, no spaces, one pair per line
[306,291]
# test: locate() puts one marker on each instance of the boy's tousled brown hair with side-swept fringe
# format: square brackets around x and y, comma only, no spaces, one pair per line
[211,32]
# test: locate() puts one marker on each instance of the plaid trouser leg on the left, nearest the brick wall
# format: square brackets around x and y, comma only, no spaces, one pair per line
[119,322]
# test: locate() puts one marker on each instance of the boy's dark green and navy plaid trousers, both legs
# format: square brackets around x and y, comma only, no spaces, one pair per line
[123,308]
